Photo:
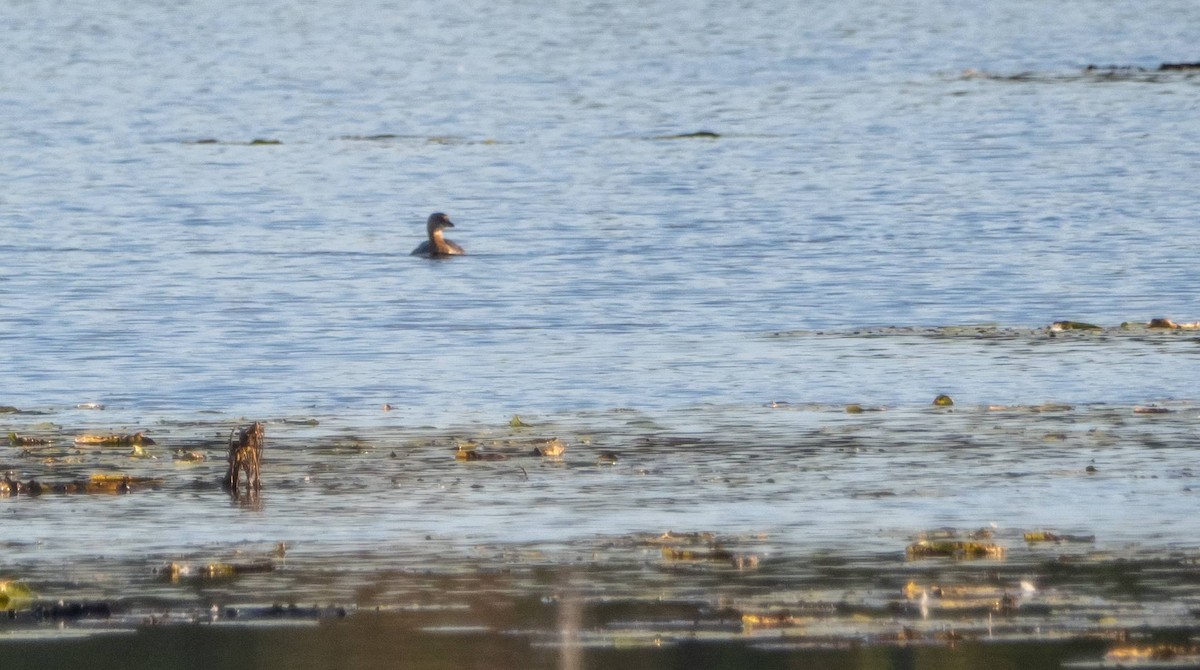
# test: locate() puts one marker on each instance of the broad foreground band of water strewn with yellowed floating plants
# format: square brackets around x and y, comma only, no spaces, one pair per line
[771,531]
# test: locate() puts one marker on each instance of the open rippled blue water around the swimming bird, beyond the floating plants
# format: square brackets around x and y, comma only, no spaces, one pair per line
[877,165]
